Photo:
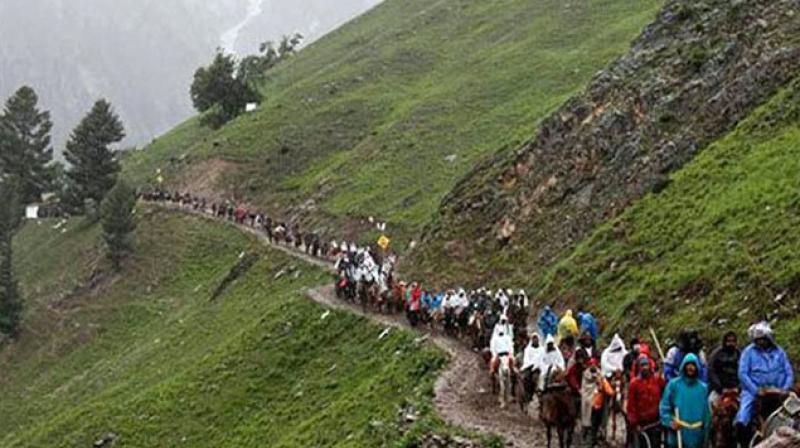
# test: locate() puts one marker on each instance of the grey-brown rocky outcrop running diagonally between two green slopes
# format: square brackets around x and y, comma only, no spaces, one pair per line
[692,74]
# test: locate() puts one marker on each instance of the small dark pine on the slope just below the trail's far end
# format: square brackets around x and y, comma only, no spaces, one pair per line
[118,223]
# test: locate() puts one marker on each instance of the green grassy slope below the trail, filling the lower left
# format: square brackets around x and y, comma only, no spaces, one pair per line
[149,356]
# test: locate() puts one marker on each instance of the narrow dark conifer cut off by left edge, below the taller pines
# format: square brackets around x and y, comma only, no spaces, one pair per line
[10,300]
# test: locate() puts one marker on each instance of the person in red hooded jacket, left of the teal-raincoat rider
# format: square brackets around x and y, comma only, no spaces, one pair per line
[644,396]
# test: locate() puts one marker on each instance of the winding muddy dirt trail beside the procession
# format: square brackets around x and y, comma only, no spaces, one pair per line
[463,394]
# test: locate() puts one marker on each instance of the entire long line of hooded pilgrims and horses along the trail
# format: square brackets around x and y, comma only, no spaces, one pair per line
[664,399]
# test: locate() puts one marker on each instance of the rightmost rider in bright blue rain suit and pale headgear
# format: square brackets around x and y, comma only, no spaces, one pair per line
[763,365]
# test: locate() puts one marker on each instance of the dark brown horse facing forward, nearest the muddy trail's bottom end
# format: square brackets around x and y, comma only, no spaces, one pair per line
[558,409]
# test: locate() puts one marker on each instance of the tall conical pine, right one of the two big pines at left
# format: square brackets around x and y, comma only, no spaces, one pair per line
[94,166]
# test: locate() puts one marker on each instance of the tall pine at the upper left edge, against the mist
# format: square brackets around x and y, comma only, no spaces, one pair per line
[25,150]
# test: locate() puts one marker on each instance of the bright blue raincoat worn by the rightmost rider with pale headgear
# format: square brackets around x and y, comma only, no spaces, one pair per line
[761,369]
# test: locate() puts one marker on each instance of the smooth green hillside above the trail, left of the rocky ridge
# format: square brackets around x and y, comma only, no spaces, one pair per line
[381,117]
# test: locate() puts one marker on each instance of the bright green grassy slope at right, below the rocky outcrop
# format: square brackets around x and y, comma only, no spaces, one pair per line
[717,248]
